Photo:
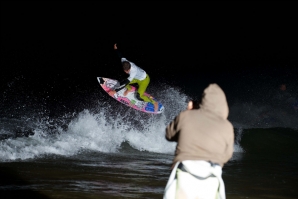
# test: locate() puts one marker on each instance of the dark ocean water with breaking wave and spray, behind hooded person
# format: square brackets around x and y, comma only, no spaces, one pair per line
[87,145]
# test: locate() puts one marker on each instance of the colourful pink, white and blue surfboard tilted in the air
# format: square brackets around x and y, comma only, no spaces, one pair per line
[130,99]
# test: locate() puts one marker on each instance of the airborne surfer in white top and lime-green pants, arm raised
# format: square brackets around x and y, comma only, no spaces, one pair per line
[136,76]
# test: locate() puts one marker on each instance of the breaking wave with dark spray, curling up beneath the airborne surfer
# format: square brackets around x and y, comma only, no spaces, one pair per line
[30,129]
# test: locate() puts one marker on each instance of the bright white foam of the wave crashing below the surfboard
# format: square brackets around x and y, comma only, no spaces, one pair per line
[102,129]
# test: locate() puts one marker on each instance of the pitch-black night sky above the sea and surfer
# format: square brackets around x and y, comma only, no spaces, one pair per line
[213,41]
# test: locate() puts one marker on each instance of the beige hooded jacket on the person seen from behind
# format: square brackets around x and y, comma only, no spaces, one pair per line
[204,133]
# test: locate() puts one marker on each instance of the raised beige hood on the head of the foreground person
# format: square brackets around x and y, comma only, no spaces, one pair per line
[214,100]
